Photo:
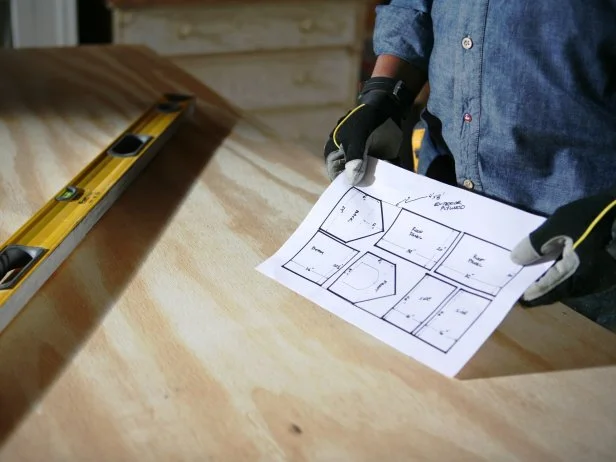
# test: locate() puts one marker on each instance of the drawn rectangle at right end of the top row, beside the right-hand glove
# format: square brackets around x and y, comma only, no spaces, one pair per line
[480,265]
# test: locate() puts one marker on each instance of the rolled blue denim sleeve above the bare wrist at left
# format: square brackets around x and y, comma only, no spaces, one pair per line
[403,28]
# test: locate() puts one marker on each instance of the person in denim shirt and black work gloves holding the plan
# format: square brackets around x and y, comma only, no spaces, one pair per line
[522,107]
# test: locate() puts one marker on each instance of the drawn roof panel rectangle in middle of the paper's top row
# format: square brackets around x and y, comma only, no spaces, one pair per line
[418,239]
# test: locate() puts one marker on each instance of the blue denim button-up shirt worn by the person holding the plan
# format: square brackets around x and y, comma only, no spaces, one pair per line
[522,93]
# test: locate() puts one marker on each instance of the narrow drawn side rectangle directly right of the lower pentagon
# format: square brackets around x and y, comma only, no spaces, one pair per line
[421,301]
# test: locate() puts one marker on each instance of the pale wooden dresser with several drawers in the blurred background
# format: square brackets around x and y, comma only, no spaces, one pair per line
[293,64]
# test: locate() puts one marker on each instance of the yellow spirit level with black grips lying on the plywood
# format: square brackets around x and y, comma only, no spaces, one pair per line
[31,255]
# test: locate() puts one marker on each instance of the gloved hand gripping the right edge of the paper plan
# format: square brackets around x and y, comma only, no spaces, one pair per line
[581,237]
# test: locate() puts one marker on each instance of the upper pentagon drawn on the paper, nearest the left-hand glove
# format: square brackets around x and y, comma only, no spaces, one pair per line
[357,215]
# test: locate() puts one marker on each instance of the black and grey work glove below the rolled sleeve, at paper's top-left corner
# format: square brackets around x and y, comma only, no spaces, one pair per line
[371,128]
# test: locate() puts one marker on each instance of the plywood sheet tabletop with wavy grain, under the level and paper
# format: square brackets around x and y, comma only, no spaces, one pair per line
[158,340]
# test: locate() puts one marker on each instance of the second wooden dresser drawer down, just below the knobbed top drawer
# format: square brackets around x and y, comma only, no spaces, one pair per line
[281,79]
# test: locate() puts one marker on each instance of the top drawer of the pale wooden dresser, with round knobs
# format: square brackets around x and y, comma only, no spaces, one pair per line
[236,27]
